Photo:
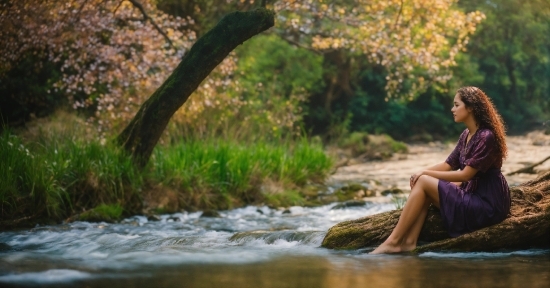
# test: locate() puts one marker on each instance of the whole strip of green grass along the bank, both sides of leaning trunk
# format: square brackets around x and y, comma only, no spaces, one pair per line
[57,175]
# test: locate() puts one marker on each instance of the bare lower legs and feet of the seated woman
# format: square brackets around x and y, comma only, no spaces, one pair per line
[414,213]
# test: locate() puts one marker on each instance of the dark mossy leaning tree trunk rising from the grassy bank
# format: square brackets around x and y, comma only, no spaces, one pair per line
[142,134]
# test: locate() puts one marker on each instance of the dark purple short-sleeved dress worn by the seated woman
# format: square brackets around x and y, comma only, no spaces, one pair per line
[485,199]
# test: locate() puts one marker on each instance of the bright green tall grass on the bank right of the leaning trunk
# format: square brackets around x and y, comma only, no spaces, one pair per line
[226,173]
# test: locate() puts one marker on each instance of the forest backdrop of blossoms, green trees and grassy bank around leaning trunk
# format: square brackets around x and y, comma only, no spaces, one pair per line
[327,69]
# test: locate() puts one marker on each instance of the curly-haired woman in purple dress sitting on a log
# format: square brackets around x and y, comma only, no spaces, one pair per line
[468,187]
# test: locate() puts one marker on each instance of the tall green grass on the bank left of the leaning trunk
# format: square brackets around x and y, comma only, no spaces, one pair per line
[56,176]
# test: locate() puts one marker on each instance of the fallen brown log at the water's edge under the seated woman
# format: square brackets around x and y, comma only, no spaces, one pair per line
[527,227]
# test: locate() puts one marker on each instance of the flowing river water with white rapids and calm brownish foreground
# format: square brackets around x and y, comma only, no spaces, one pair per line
[250,247]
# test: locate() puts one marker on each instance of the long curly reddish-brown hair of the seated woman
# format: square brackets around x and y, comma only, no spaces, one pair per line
[485,114]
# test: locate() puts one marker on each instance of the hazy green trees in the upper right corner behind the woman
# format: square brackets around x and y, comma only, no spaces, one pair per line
[511,50]
